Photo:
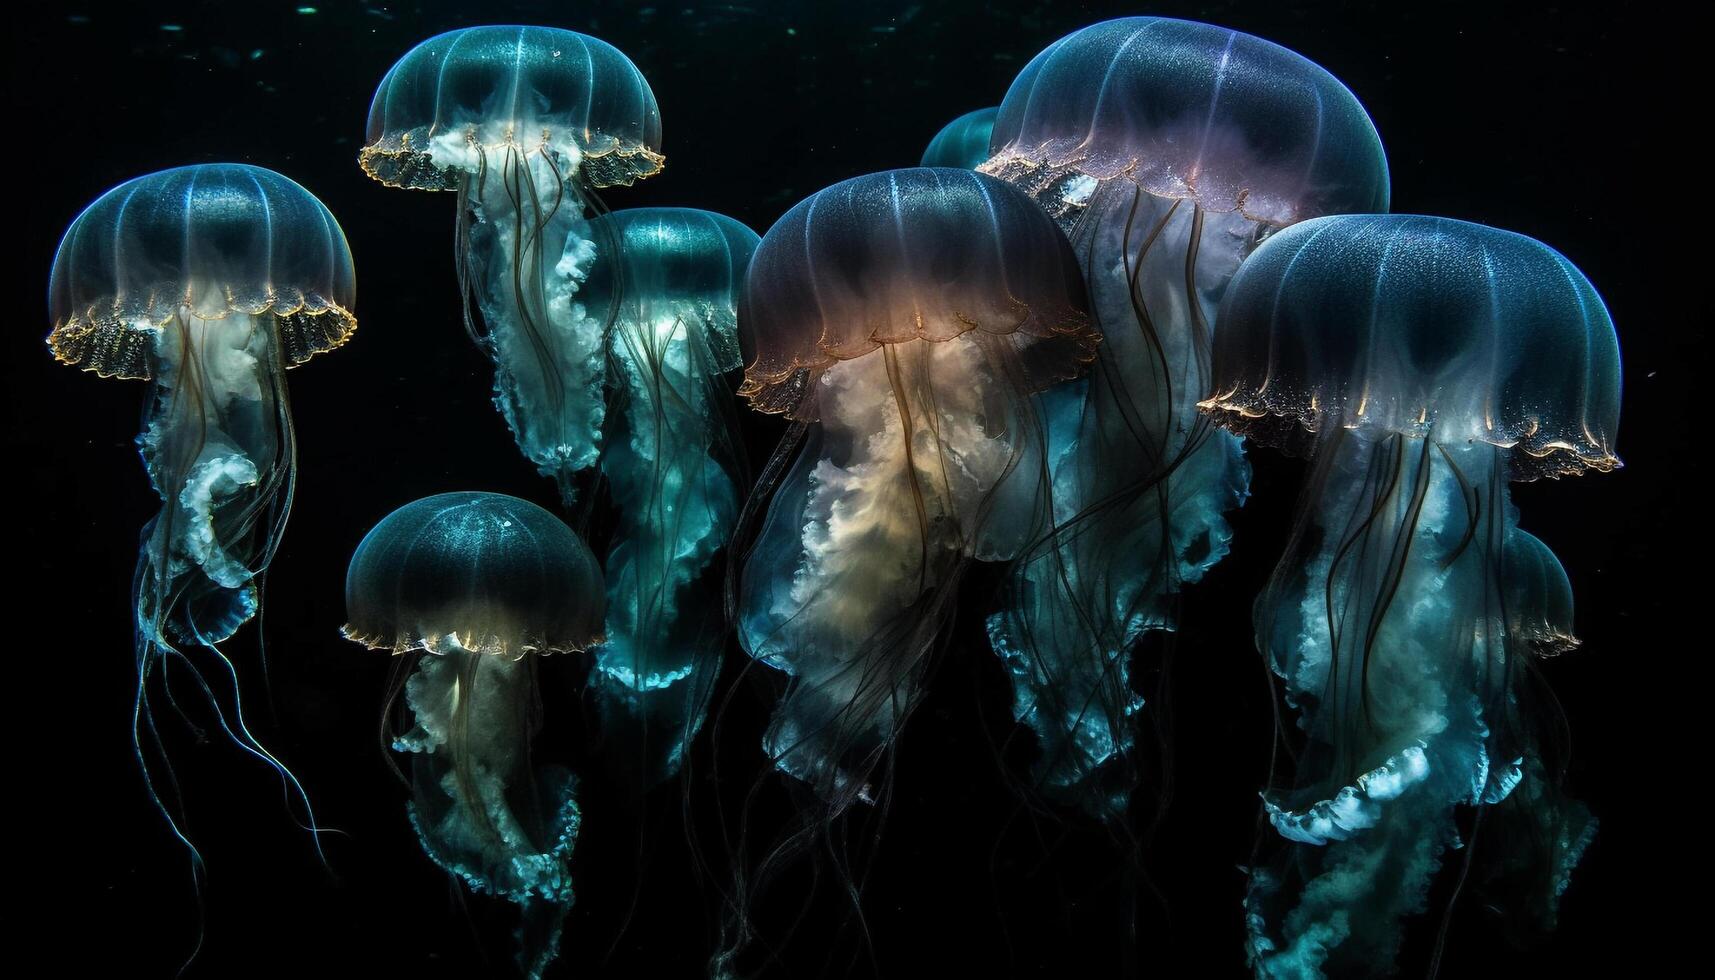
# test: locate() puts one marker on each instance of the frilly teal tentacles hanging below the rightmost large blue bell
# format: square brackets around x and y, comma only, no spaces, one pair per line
[1388,627]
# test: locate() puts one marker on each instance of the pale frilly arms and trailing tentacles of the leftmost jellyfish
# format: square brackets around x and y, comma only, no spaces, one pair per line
[219,447]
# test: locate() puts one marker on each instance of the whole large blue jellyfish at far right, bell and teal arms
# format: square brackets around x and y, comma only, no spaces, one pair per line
[1421,365]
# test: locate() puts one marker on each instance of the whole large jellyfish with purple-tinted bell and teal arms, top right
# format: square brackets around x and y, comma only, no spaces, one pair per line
[1167,150]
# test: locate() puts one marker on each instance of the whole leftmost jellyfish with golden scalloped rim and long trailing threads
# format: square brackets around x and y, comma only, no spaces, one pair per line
[208,282]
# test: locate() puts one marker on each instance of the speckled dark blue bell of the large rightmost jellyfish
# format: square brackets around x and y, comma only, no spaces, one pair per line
[1423,327]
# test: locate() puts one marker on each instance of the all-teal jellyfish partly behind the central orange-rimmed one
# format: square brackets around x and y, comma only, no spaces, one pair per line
[673,463]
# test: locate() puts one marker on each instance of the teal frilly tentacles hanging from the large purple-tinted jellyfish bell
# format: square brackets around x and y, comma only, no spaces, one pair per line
[1141,490]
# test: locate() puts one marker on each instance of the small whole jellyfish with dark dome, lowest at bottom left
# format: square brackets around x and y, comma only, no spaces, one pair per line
[474,588]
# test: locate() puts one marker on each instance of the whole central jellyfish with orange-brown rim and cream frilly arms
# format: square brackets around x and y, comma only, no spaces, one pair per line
[903,320]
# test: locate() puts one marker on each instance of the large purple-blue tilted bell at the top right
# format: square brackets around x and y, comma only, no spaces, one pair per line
[1193,112]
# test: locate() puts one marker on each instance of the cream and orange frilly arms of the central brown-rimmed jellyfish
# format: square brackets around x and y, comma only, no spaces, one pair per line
[908,476]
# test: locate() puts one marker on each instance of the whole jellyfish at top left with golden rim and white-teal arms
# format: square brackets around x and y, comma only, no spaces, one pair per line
[526,124]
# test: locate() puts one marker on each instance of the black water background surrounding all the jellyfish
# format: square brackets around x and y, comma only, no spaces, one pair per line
[1534,119]
